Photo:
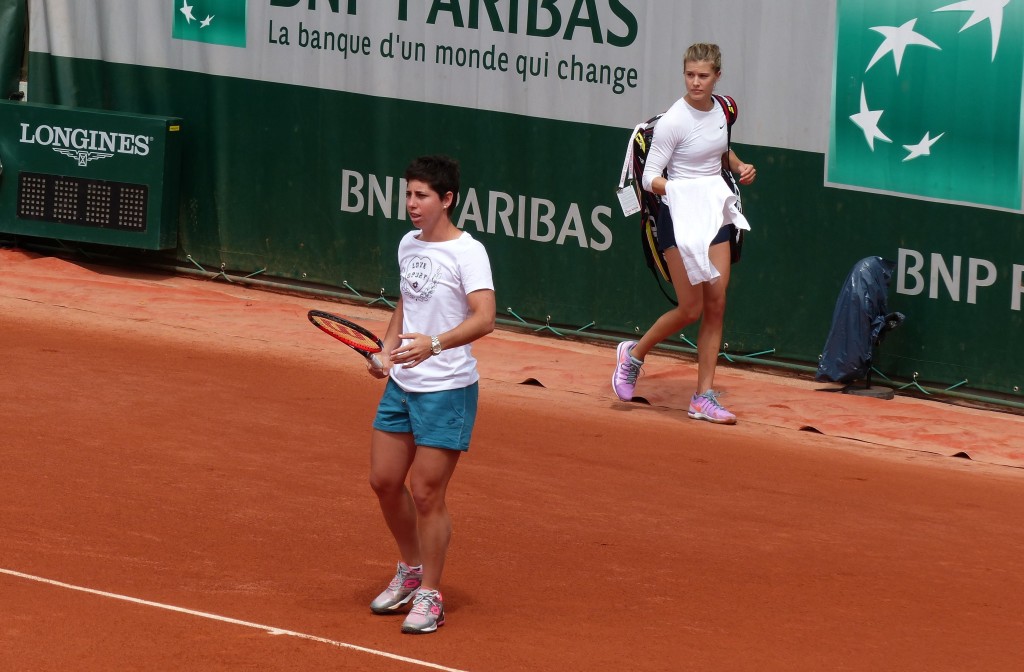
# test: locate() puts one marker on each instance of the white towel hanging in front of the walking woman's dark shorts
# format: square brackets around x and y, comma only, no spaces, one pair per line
[700,207]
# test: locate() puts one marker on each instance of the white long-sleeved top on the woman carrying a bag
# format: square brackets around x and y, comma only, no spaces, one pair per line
[688,143]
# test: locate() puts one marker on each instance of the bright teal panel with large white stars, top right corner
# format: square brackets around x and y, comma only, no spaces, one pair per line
[927,101]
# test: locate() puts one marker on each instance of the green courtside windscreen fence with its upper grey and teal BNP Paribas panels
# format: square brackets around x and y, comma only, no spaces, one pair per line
[303,116]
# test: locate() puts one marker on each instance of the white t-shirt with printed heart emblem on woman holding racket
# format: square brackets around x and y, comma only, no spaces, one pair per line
[436,281]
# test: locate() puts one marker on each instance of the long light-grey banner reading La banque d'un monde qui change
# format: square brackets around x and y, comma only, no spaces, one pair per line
[611,63]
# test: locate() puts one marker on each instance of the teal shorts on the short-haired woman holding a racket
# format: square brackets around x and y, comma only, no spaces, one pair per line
[442,419]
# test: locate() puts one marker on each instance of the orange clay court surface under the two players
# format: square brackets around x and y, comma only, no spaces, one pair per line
[184,487]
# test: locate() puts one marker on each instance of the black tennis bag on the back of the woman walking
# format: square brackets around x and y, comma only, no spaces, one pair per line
[651,203]
